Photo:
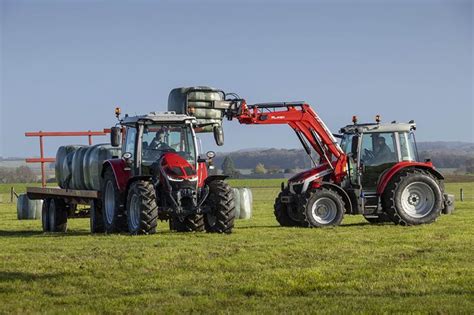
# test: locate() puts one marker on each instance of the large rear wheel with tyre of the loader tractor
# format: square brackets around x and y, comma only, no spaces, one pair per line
[413,197]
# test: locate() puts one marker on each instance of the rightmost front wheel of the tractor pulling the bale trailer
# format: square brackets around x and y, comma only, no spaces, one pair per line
[221,217]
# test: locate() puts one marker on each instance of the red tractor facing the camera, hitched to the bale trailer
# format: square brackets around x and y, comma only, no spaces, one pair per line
[161,176]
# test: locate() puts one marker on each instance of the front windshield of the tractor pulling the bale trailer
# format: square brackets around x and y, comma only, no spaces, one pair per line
[161,138]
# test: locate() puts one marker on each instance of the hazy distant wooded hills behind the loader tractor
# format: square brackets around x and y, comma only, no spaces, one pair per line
[444,154]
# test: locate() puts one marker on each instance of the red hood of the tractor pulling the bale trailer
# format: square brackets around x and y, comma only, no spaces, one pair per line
[177,168]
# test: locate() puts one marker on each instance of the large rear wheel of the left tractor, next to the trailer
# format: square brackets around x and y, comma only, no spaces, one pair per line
[111,201]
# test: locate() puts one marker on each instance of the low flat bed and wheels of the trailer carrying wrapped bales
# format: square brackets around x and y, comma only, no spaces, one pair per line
[60,204]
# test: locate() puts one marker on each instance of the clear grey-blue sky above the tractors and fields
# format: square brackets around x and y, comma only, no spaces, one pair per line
[65,65]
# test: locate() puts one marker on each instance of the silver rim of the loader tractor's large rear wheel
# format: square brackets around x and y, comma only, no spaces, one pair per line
[418,199]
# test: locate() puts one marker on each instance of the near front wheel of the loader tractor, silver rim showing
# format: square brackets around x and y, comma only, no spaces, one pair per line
[321,208]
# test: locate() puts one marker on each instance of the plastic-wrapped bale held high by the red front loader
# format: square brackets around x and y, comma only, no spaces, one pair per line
[198,102]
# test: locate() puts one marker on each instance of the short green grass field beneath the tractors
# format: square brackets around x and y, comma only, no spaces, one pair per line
[260,268]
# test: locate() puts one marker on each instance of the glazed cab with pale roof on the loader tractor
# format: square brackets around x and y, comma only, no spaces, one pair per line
[373,149]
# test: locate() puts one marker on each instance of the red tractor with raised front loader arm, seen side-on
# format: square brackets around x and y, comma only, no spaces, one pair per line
[375,171]
